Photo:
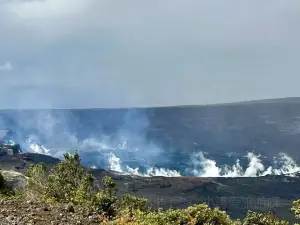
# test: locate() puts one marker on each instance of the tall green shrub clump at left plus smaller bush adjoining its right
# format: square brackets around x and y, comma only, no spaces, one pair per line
[69,183]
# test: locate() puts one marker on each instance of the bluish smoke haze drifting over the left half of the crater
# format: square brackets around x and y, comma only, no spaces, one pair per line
[54,132]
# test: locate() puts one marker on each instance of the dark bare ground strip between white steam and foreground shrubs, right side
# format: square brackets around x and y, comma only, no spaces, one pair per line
[234,195]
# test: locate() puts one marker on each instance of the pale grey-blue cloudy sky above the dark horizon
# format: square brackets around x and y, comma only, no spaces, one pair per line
[115,53]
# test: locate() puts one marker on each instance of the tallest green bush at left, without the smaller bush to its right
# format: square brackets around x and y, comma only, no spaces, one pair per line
[67,182]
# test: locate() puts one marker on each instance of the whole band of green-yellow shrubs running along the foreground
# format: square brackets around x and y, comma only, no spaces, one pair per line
[69,183]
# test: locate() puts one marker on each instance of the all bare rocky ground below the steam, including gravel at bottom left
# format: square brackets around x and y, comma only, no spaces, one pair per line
[234,195]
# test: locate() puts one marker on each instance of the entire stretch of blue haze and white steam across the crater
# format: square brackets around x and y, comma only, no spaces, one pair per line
[127,150]
